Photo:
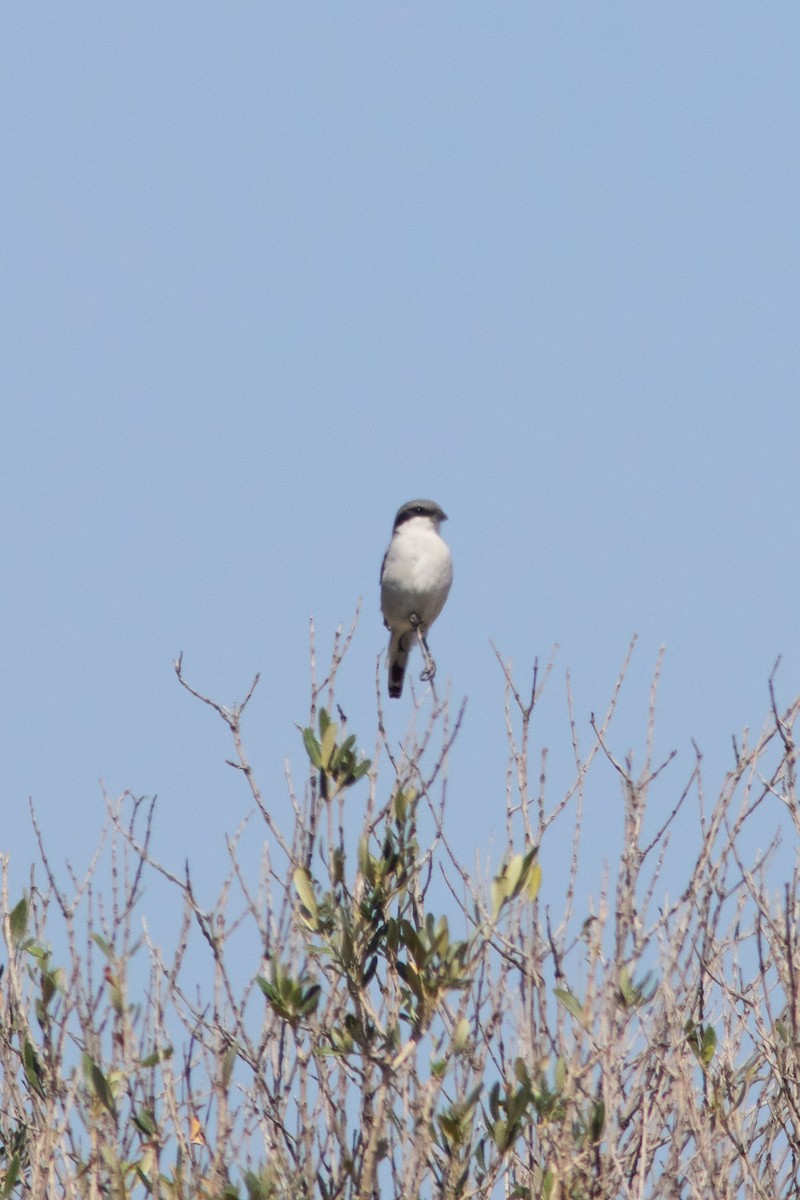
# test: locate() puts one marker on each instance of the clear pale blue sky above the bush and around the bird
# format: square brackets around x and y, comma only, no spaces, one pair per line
[272,271]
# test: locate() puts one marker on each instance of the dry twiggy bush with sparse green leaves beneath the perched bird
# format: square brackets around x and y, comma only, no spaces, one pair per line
[376,1021]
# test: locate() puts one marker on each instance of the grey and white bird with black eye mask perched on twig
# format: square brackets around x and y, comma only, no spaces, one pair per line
[416,579]
